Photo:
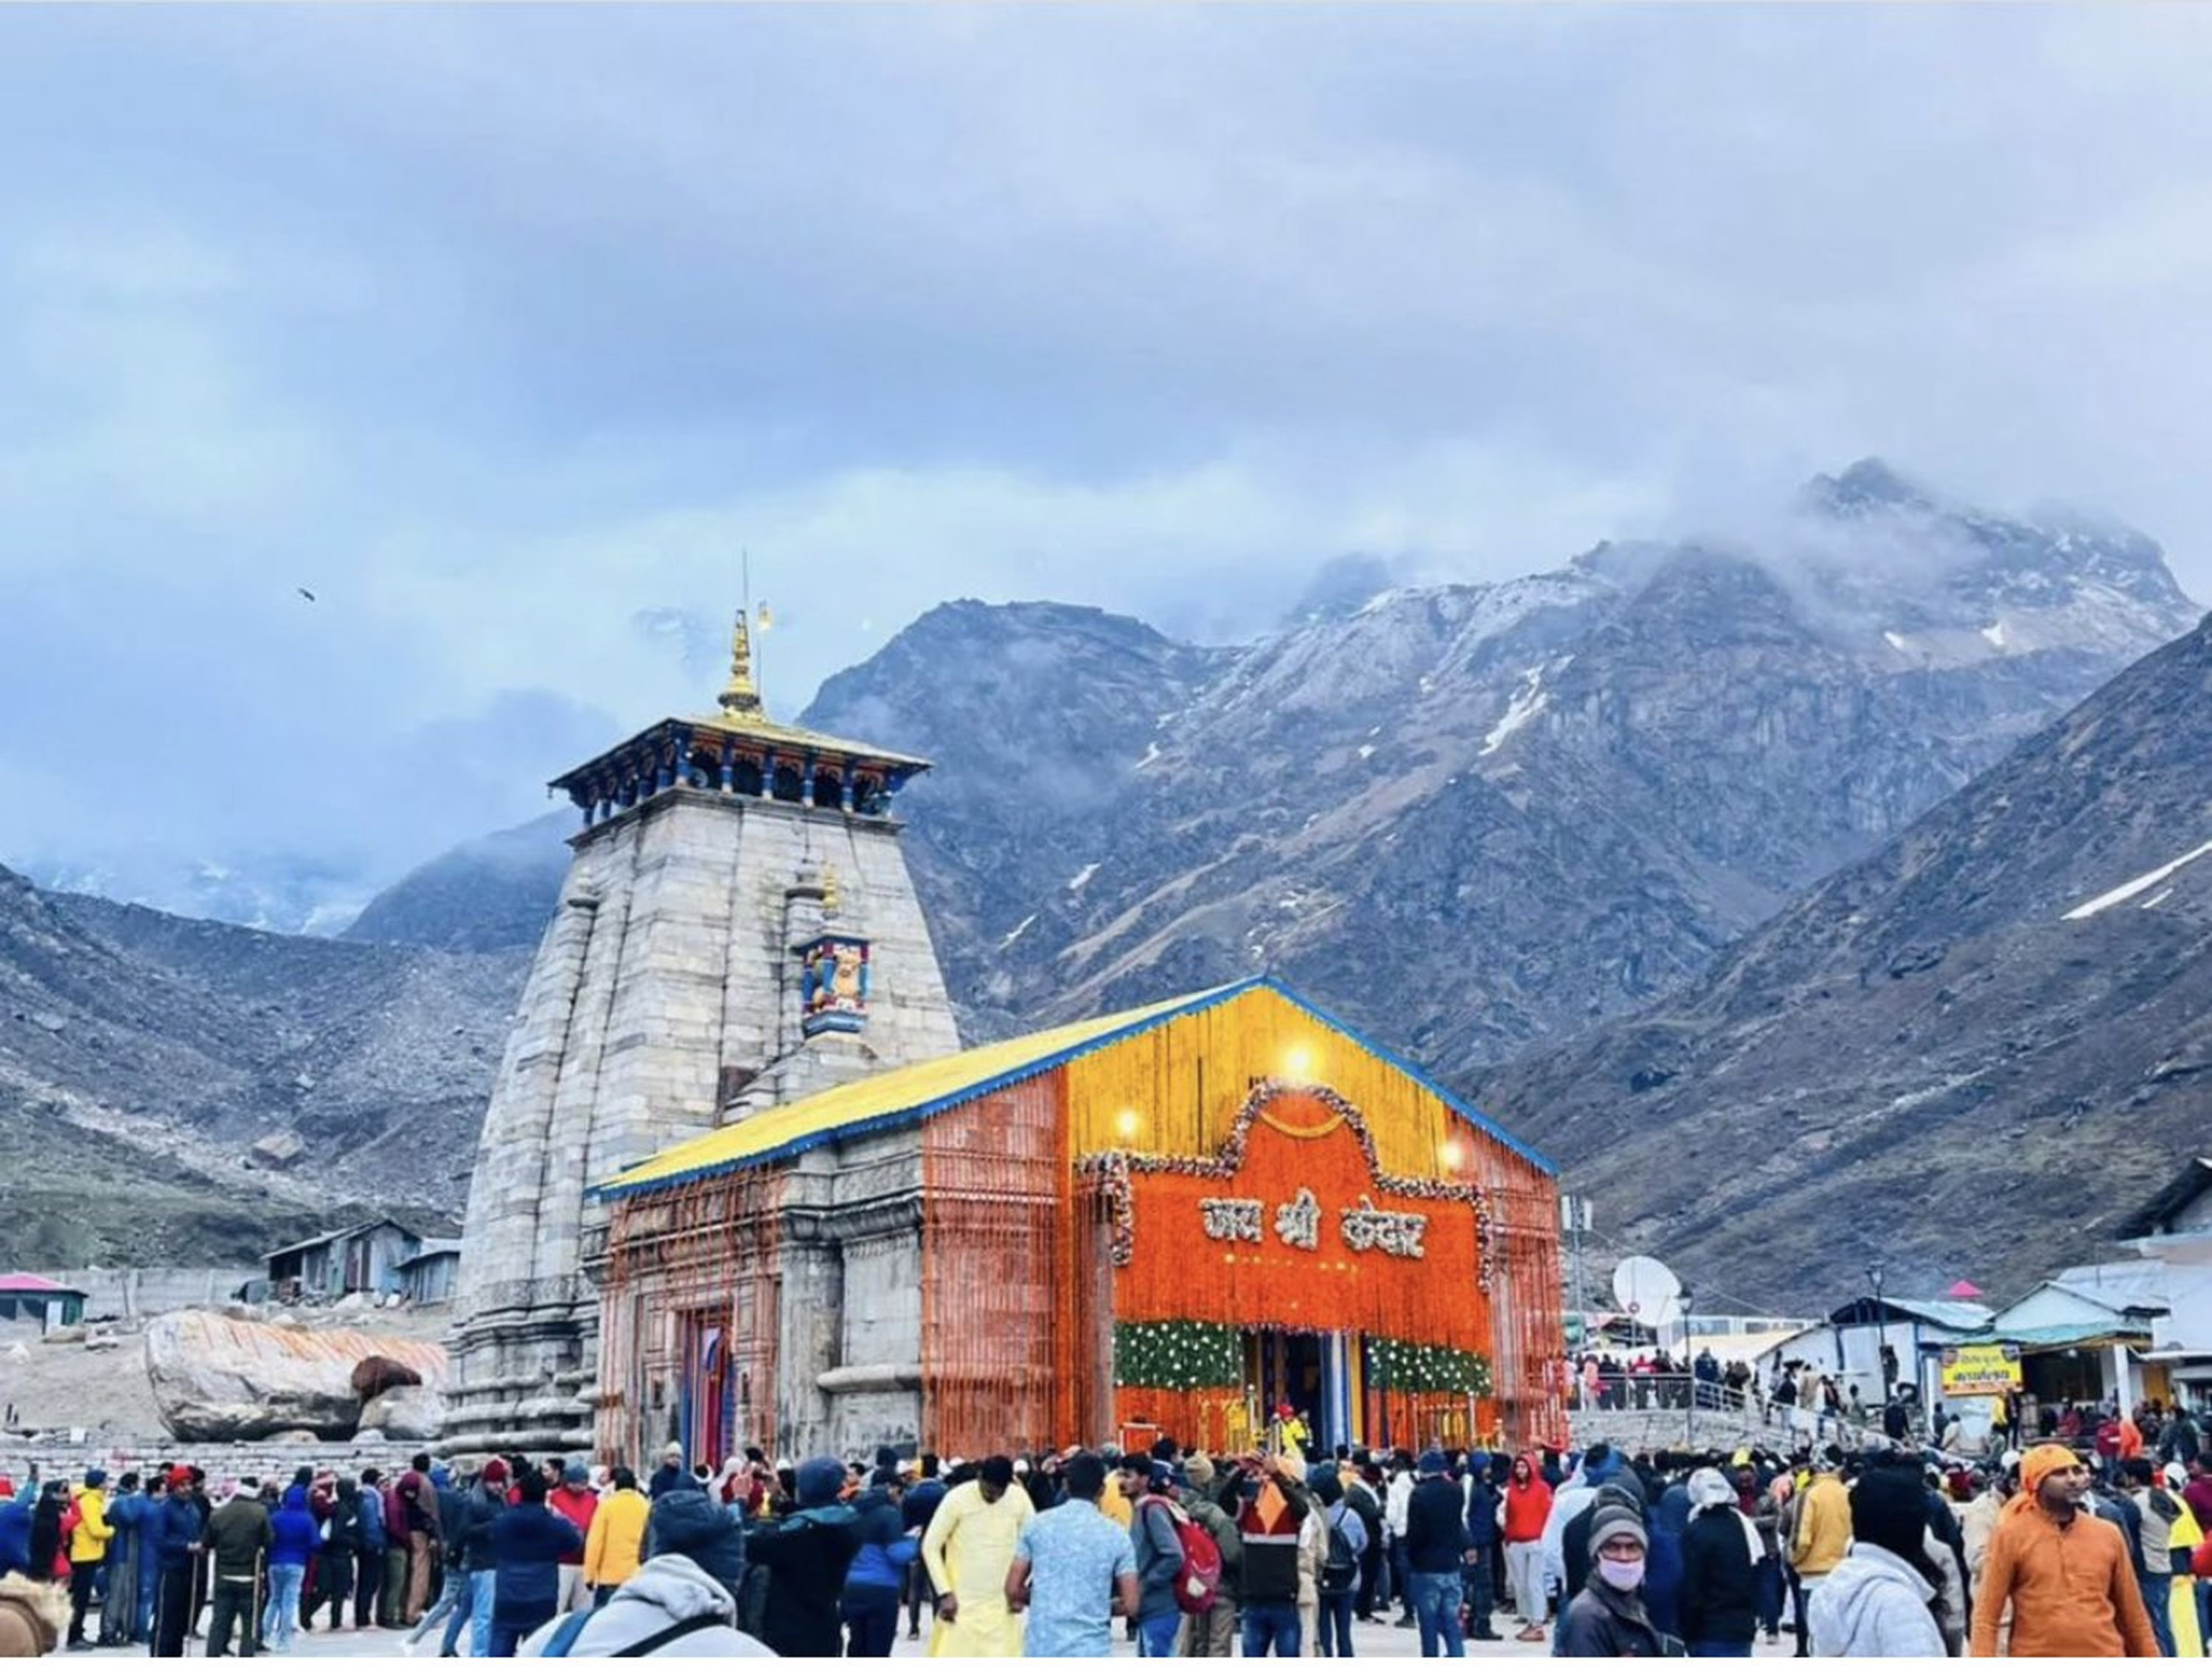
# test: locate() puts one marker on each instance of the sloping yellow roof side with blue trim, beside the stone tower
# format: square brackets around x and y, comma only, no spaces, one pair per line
[897,1096]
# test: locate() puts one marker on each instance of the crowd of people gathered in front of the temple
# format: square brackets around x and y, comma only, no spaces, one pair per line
[1884,1552]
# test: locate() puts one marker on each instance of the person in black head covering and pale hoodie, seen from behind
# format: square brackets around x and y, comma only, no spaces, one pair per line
[1875,1605]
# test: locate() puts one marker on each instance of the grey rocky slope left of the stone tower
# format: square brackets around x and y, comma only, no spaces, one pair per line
[143,1056]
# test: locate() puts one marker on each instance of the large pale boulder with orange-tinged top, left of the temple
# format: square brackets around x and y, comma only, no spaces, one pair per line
[231,1379]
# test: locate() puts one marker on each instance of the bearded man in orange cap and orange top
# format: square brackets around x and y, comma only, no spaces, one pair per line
[2065,1572]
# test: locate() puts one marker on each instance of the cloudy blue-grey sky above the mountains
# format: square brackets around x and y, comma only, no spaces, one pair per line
[508,331]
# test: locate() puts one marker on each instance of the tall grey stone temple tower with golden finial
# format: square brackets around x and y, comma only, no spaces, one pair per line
[738,930]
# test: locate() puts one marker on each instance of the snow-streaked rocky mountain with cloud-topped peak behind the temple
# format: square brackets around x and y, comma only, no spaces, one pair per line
[1468,815]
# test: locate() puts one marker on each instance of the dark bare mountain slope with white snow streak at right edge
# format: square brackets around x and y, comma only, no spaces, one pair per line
[1963,1056]
